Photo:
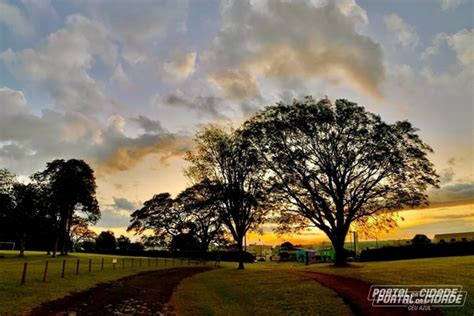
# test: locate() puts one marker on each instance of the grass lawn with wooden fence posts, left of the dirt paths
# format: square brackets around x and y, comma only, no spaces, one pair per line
[15,298]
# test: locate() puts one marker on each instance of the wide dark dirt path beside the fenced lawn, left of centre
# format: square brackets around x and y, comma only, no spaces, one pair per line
[143,294]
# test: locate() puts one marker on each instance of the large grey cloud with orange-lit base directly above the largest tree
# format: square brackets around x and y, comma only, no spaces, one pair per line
[291,41]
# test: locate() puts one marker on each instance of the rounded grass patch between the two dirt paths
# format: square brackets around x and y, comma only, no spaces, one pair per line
[254,291]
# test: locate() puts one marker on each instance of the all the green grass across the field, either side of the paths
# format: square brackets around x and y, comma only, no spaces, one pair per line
[262,288]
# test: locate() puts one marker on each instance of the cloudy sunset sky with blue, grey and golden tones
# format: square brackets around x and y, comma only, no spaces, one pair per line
[125,85]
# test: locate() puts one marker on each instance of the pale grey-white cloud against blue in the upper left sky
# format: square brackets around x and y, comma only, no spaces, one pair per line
[61,65]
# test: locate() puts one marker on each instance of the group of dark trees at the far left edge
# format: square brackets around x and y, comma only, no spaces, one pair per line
[44,210]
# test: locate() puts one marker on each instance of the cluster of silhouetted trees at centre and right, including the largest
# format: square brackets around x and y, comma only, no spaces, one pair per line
[306,164]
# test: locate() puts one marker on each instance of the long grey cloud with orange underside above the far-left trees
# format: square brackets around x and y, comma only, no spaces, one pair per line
[26,137]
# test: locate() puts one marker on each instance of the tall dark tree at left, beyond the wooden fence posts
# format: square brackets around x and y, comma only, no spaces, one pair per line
[69,187]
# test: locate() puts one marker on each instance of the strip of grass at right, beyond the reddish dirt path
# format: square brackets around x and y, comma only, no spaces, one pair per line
[430,271]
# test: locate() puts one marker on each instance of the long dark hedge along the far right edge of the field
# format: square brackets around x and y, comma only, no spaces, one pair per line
[418,251]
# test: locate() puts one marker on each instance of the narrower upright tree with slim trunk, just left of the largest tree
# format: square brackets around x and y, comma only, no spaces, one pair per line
[233,166]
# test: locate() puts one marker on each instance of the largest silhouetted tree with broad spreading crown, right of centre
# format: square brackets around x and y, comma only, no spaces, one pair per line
[335,164]
